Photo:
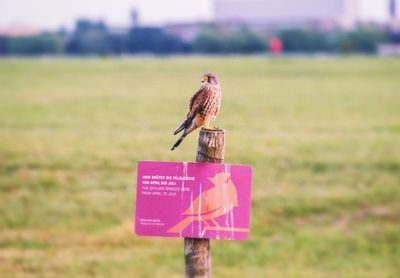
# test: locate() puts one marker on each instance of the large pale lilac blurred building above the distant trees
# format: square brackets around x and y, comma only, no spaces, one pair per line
[277,14]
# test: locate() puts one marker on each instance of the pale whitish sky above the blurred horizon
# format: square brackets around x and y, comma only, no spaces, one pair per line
[54,14]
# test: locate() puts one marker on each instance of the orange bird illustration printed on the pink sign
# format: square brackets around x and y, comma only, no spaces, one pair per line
[210,204]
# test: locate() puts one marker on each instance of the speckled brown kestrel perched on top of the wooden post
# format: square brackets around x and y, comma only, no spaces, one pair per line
[204,106]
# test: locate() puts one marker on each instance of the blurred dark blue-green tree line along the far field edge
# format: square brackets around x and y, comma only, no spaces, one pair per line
[95,38]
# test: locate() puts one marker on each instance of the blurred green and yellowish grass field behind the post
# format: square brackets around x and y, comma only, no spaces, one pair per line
[323,136]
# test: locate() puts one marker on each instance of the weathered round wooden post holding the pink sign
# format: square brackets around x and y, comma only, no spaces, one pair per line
[211,148]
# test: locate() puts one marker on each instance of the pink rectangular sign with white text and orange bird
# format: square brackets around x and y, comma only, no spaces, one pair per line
[198,200]
